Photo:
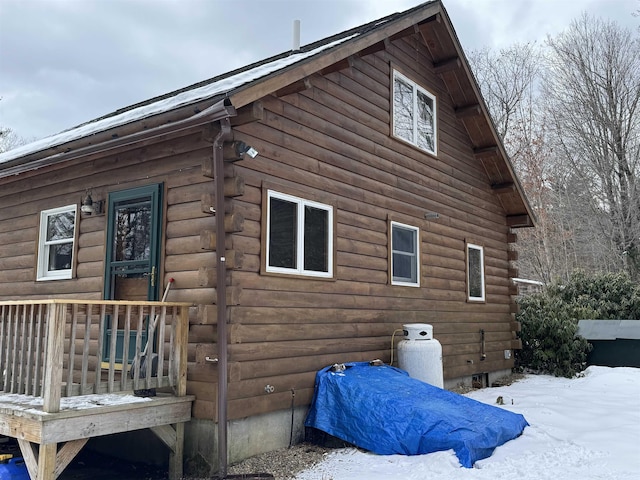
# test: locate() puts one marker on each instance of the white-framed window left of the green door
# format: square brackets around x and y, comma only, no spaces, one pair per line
[56,243]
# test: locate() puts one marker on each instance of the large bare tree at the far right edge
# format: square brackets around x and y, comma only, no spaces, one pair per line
[592,91]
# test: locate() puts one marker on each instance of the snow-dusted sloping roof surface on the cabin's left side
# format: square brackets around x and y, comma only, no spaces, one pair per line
[216,87]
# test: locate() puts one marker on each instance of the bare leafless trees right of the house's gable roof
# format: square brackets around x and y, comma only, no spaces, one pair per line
[570,127]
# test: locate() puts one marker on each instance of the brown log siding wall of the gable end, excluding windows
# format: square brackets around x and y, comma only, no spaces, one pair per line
[332,141]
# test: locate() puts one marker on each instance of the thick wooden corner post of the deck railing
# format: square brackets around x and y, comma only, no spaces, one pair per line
[54,358]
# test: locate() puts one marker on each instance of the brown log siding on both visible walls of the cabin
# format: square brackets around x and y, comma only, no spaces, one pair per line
[330,143]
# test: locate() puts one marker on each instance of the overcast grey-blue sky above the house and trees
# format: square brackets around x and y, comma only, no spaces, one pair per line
[64,62]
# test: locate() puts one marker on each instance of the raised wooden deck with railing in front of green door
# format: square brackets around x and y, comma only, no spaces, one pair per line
[64,383]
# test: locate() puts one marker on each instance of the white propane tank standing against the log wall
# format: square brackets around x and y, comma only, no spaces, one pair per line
[420,354]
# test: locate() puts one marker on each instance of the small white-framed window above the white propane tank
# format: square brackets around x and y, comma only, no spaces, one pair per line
[405,255]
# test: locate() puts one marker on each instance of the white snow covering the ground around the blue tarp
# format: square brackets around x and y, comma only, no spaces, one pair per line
[585,428]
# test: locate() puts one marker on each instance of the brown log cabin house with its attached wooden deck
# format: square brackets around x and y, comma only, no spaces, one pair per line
[380,195]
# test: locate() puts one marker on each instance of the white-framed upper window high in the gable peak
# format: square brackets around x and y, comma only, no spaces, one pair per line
[414,114]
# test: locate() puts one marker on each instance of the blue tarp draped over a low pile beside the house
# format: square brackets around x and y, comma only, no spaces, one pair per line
[382,409]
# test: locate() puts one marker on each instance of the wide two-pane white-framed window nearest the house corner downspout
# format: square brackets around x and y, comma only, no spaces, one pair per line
[299,236]
